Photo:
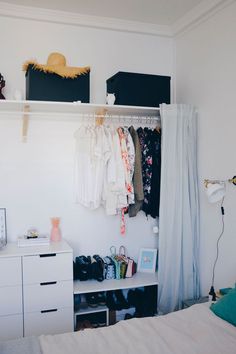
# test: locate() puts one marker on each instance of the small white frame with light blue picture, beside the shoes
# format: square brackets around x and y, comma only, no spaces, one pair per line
[147,260]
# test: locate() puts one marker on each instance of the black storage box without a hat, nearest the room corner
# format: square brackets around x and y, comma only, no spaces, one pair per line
[139,89]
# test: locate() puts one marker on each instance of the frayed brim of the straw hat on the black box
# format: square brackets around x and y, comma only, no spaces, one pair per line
[63,71]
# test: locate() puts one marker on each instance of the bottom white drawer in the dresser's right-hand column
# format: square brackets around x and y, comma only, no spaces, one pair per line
[59,321]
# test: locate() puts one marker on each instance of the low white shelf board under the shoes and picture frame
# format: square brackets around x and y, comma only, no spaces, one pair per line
[137,281]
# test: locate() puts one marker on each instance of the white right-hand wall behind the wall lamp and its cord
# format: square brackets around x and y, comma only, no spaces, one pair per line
[206,77]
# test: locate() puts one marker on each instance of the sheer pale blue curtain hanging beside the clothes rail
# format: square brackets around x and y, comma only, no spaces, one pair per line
[178,264]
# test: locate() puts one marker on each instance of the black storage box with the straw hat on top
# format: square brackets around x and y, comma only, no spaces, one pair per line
[41,86]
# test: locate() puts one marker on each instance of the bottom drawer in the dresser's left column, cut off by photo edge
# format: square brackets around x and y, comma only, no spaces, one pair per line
[11,327]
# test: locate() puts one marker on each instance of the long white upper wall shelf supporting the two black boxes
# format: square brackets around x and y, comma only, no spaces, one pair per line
[66,110]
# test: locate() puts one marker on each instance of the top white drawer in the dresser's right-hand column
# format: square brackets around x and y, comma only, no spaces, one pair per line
[47,268]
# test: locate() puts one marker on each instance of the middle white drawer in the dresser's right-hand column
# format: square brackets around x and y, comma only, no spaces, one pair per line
[48,295]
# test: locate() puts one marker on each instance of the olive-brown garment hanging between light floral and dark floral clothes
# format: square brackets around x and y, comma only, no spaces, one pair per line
[137,176]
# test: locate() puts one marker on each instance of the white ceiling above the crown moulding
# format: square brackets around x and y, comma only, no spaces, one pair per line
[161,12]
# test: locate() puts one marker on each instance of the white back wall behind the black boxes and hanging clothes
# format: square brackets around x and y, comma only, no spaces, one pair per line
[36,178]
